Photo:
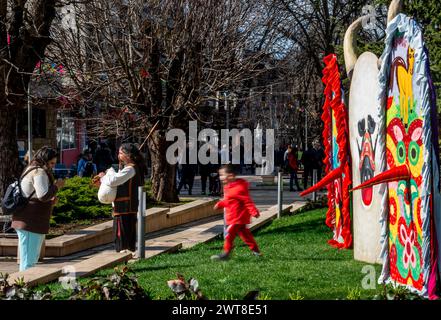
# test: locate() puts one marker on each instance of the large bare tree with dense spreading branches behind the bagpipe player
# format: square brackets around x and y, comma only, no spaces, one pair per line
[160,61]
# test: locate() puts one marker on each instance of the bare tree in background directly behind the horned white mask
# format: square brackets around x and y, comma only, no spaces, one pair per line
[309,30]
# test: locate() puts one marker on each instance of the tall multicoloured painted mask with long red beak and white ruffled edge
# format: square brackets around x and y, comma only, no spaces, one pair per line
[409,170]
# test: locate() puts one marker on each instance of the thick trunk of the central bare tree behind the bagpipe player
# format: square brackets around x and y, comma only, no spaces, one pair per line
[163,174]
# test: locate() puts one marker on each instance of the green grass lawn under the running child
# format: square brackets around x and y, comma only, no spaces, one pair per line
[297,259]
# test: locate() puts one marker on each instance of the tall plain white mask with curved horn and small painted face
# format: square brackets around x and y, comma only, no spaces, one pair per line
[365,139]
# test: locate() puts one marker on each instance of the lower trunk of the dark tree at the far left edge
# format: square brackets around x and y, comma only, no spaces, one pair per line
[9,165]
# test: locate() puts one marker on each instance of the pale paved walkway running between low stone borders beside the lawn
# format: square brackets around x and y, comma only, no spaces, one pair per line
[183,236]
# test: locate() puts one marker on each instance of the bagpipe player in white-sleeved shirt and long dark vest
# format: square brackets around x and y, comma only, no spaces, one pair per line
[132,169]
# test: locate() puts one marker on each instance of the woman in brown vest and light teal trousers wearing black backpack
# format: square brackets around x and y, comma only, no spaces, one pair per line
[32,222]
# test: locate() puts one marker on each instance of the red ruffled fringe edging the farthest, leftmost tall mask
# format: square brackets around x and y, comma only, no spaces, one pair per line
[333,101]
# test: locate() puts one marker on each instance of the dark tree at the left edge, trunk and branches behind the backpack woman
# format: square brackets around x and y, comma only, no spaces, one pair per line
[24,36]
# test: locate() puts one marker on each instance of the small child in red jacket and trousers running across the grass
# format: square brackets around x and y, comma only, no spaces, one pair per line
[239,208]
